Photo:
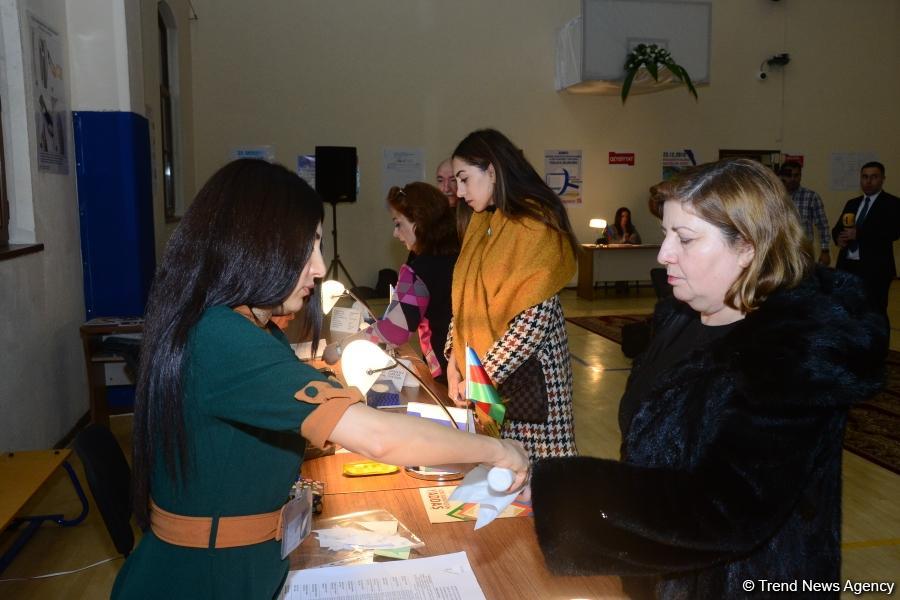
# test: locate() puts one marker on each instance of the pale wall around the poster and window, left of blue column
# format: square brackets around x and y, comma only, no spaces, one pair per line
[42,381]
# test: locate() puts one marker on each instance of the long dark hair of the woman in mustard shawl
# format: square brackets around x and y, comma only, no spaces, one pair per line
[518,189]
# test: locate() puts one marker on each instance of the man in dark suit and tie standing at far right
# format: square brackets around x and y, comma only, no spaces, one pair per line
[866,231]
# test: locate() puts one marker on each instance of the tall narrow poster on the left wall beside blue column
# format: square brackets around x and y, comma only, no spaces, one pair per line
[51,108]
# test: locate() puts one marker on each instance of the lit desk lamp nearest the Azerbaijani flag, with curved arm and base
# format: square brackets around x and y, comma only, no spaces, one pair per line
[361,363]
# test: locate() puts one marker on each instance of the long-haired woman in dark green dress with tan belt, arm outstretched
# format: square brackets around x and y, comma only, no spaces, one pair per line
[223,407]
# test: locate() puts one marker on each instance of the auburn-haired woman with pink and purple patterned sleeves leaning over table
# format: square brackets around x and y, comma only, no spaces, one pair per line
[425,223]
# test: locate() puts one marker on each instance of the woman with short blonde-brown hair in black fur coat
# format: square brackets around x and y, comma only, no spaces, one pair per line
[733,418]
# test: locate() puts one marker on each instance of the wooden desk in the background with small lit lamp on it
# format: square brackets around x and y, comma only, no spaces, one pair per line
[617,262]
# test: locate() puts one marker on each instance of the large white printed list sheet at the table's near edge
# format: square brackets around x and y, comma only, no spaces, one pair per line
[443,576]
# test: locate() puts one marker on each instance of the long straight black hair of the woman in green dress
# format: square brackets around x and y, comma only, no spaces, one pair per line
[243,241]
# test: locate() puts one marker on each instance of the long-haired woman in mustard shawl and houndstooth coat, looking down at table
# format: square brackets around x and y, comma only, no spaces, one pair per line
[517,253]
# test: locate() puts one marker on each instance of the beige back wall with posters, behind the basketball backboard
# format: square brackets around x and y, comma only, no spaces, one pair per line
[424,73]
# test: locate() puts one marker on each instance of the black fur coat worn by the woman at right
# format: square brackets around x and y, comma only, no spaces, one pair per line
[732,471]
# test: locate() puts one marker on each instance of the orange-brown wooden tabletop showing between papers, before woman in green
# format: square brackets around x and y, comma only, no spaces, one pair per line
[504,555]
